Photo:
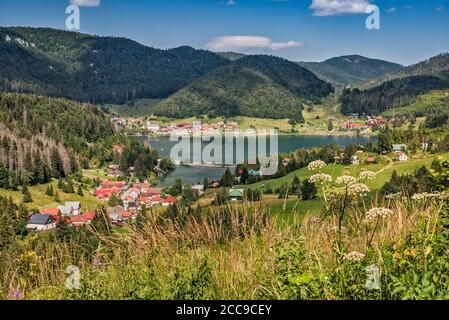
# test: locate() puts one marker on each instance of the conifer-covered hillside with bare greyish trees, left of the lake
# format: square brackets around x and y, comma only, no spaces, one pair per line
[43,137]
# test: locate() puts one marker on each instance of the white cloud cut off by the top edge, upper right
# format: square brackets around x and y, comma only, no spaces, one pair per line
[338,7]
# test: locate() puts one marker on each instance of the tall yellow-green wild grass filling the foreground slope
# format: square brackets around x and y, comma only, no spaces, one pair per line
[232,252]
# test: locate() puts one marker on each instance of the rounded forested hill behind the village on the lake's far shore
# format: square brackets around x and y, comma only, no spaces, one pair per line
[256,86]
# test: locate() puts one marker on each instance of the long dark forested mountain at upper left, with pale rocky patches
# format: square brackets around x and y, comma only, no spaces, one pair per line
[96,69]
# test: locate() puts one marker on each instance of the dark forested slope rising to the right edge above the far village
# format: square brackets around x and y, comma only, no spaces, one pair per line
[403,88]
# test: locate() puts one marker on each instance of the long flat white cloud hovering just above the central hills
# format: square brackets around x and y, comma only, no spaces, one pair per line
[243,43]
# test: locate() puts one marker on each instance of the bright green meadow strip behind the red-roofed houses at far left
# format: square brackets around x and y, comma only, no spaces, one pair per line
[41,200]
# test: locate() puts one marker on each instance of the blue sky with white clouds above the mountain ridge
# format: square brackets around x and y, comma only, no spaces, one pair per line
[299,30]
